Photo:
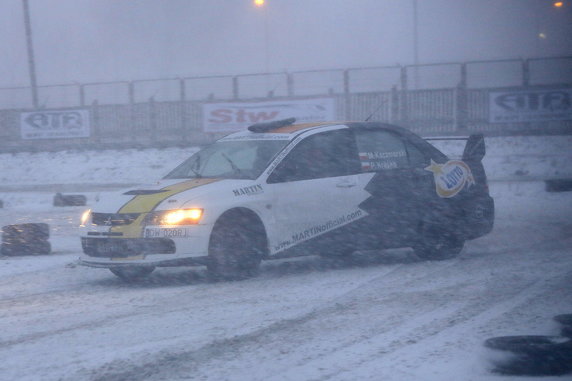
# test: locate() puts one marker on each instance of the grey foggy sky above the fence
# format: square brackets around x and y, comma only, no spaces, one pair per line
[103,40]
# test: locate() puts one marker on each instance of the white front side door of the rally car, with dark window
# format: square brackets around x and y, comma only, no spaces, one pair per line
[316,189]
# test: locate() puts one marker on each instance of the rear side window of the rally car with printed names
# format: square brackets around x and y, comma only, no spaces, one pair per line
[381,150]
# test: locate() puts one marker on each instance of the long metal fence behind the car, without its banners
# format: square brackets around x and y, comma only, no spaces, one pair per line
[432,98]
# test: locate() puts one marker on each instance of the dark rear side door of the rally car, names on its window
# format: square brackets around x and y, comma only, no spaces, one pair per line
[398,189]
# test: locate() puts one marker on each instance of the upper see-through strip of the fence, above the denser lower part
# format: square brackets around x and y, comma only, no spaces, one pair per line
[471,74]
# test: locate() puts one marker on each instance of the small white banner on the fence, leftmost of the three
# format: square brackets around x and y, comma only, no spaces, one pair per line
[59,124]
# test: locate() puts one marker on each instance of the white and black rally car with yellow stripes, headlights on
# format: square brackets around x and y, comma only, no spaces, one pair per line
[281,189]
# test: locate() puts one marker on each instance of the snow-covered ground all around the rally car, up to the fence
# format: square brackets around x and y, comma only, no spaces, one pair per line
[387,316]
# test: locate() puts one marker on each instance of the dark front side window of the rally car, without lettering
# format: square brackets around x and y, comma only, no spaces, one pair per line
[327,154]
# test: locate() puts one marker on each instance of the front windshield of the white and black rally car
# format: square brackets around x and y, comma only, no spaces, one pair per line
[230,160]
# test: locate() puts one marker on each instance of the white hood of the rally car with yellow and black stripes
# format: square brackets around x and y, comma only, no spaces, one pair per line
[165,194]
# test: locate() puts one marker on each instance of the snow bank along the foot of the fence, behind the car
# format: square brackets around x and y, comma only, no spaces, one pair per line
[513,158]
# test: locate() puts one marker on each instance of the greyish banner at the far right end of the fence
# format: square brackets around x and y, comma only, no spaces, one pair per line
[530,105]
